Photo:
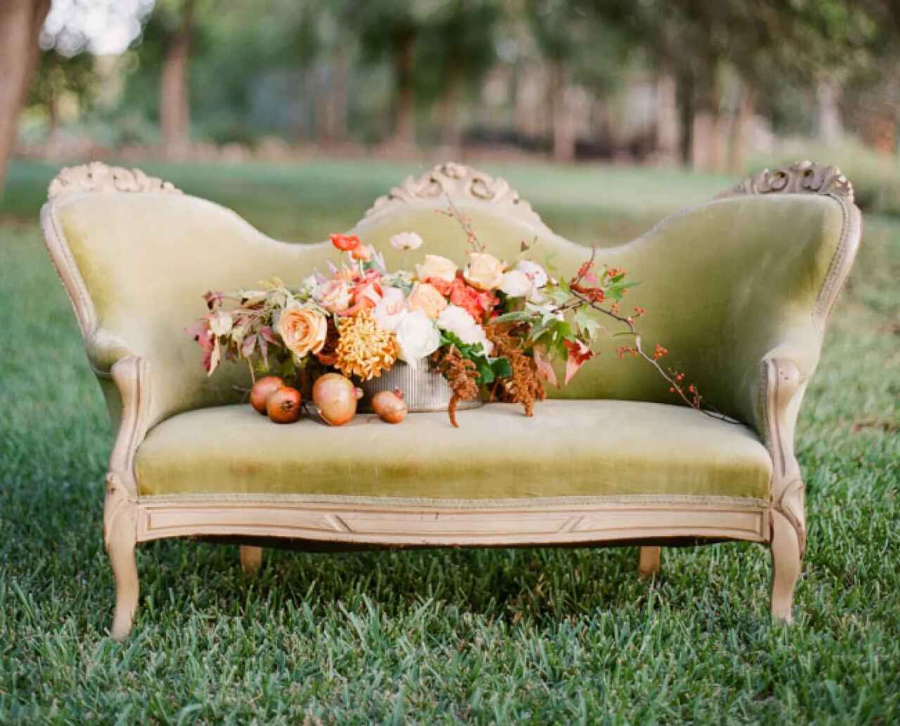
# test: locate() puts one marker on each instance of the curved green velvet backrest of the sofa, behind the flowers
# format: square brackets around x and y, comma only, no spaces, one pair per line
[722,282]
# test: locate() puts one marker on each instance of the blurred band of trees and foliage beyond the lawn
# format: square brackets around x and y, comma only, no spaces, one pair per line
[714,85]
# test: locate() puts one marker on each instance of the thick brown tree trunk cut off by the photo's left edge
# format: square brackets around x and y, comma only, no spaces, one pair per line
[20,27]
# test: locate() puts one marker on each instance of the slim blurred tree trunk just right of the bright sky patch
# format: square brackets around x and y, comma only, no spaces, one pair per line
[174,105]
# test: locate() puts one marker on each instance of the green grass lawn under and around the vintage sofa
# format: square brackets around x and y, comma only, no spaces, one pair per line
[474,635]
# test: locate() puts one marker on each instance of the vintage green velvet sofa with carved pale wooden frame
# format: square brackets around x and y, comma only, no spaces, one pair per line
[739,290]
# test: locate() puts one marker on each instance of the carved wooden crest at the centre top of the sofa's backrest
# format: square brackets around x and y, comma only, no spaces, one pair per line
[458,182]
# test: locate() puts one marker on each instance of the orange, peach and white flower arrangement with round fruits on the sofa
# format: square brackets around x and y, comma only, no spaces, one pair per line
[491,328]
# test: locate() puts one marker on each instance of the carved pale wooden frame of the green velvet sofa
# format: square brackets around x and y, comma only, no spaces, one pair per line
[130,518]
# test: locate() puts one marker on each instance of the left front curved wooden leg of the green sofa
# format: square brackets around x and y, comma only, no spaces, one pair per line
[120,536]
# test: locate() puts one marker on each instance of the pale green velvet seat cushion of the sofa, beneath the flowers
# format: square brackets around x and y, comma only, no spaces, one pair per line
[568,449]
